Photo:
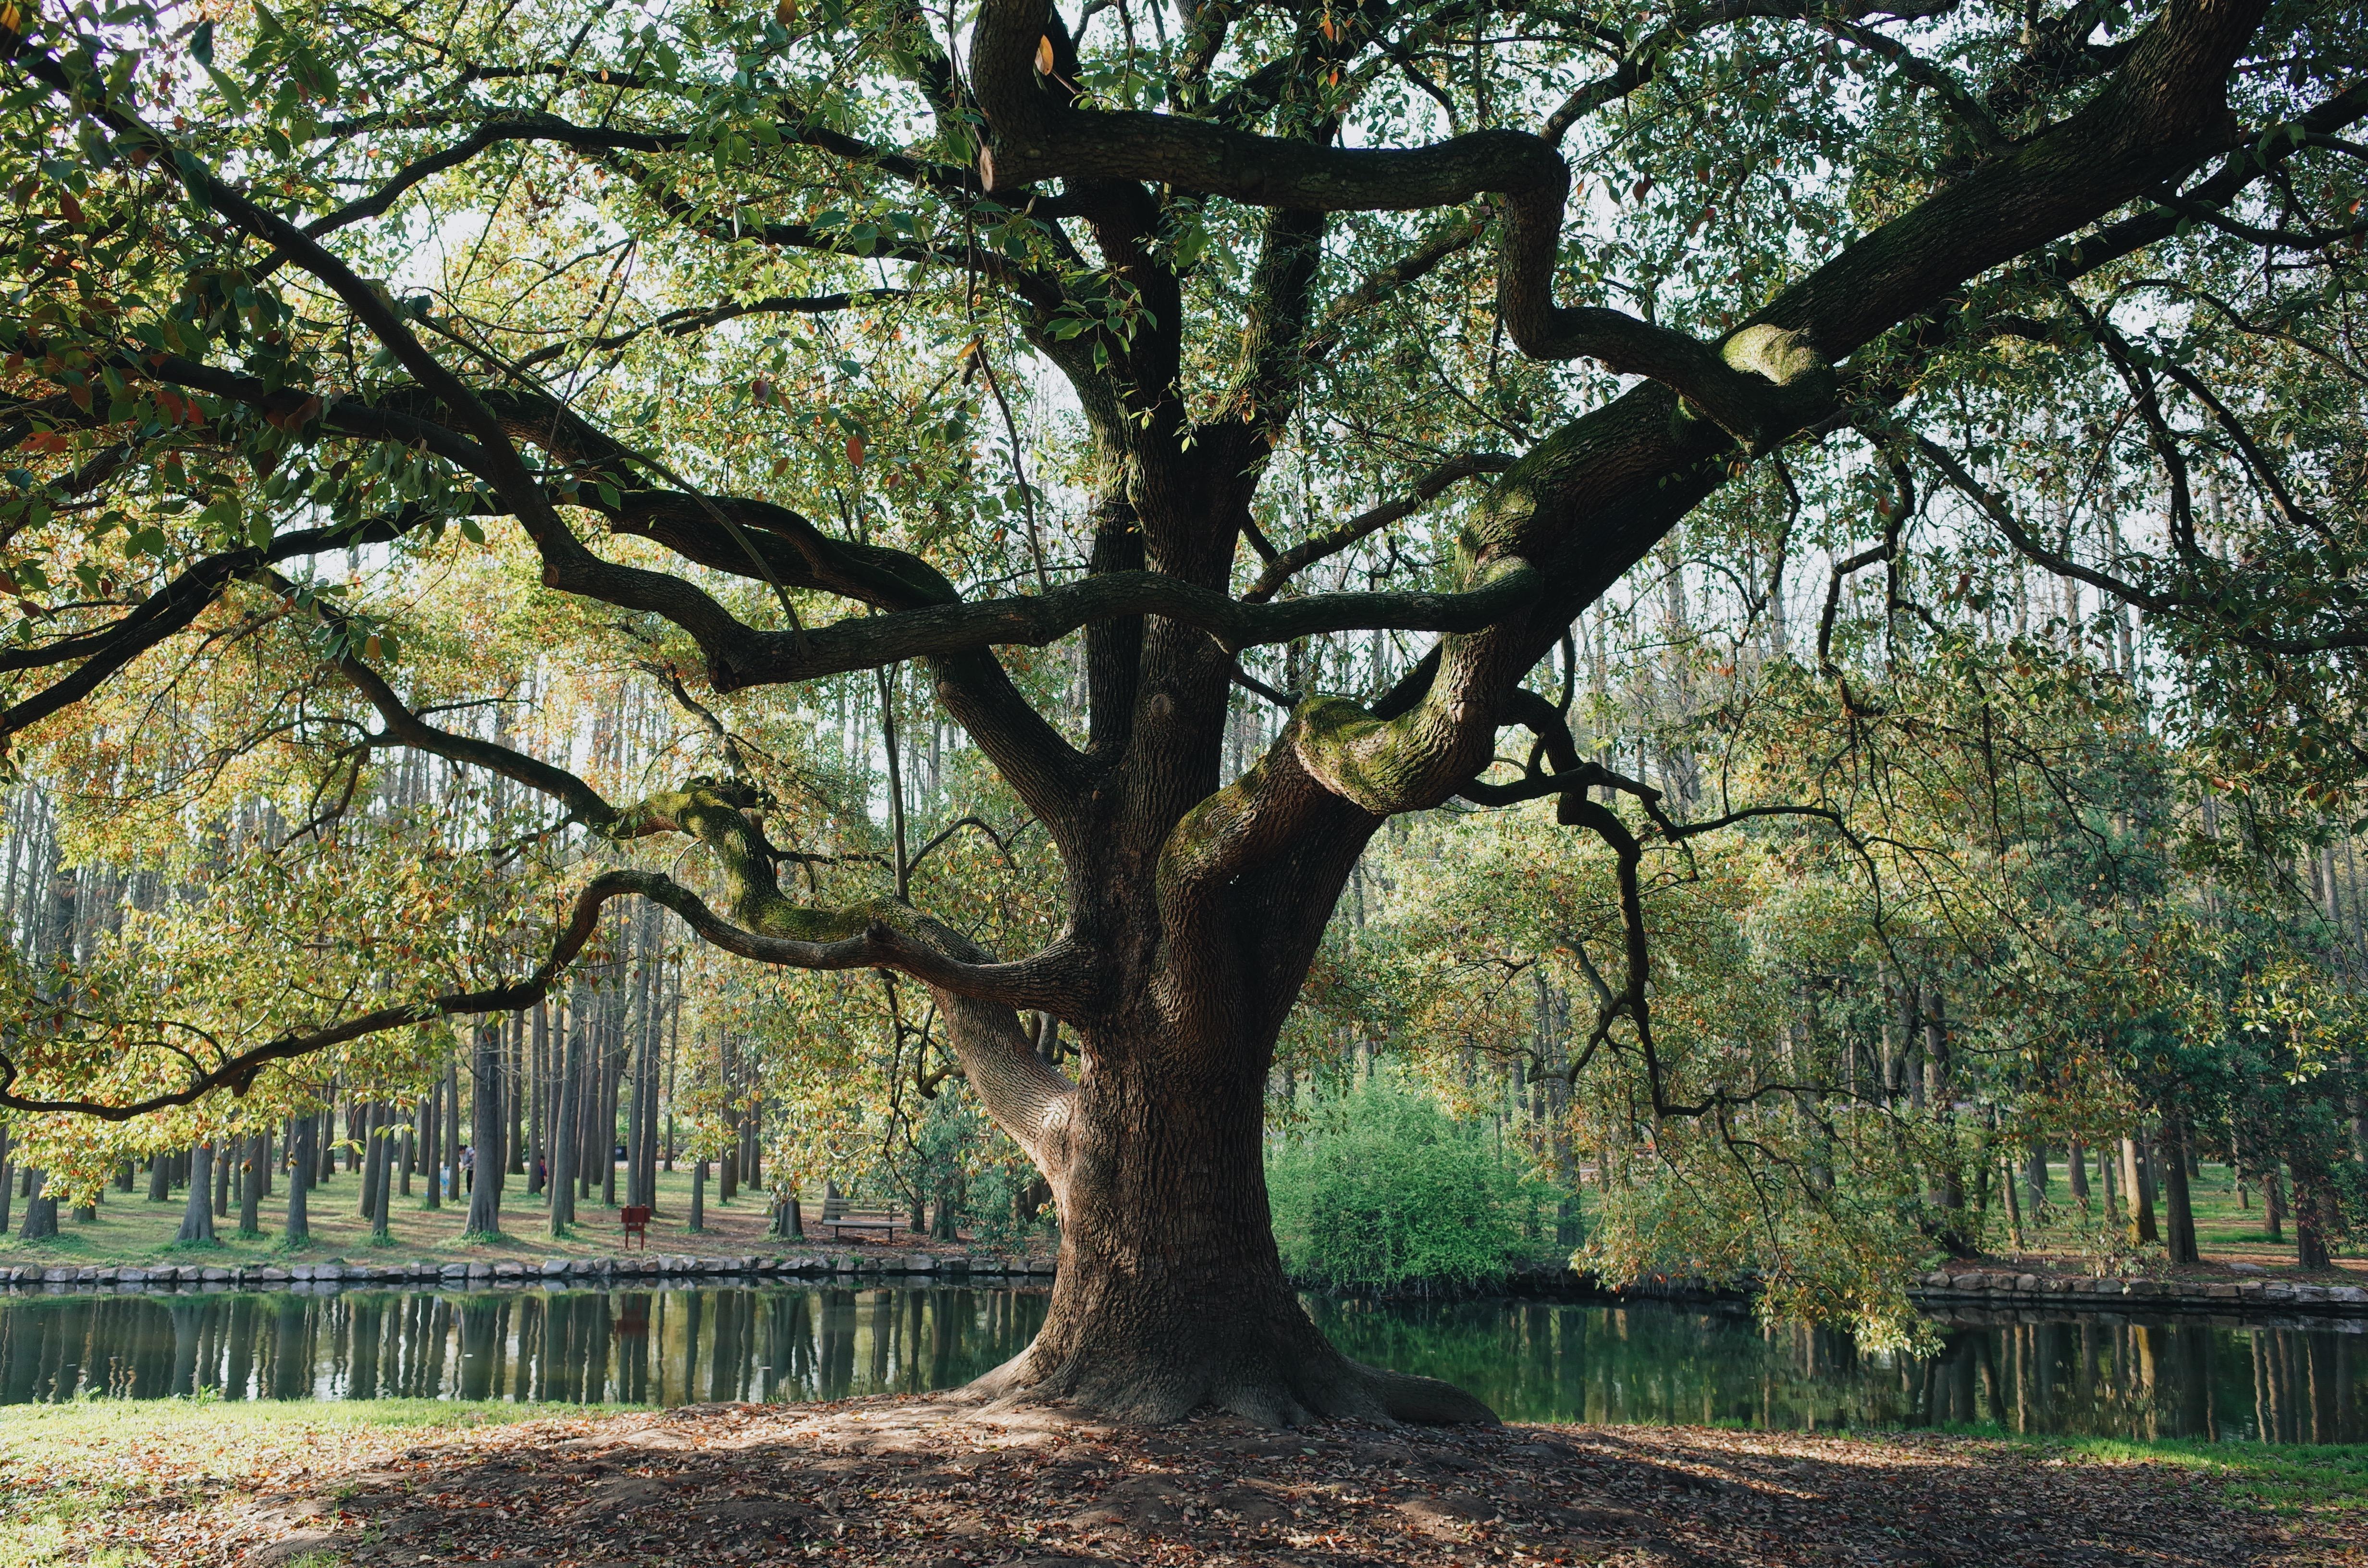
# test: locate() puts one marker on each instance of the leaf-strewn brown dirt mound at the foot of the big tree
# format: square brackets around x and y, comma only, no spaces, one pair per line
[927,1484]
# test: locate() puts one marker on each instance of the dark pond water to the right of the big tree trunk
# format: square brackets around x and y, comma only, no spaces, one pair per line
[1656,1363]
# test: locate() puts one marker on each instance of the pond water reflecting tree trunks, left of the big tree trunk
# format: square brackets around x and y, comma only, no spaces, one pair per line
[577,1347]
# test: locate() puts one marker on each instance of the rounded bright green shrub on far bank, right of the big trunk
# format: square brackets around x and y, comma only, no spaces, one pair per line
[1382,1190]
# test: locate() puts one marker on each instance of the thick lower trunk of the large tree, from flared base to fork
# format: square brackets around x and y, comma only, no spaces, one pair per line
[1171,1294]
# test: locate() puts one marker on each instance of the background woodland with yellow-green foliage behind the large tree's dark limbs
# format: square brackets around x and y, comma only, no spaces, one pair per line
[1993,766]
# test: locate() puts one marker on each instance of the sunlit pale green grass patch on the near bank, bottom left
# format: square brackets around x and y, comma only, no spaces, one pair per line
[70,1470]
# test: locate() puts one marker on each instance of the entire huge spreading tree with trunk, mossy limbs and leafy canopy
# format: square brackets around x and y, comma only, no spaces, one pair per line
[1867,494]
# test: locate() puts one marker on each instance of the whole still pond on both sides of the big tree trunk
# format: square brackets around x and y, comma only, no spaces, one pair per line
[1656,1363]
